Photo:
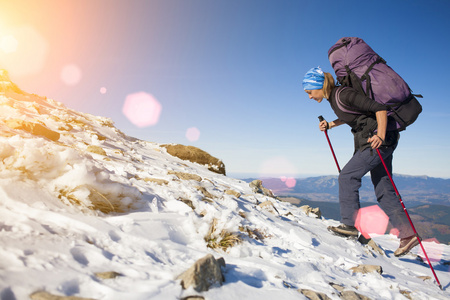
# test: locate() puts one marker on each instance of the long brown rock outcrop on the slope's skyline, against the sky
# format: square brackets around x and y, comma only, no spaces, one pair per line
[196,155]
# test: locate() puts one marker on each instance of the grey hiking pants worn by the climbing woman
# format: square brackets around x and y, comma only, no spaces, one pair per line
[350,182]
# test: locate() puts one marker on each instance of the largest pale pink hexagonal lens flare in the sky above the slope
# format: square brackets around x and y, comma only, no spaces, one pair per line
[142,109]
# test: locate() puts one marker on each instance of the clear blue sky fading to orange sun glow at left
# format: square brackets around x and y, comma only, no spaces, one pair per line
[233,70]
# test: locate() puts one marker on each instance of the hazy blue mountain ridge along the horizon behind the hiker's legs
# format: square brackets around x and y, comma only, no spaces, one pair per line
[415,190]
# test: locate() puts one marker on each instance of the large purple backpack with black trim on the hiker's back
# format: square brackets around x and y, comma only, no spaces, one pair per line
[356,65]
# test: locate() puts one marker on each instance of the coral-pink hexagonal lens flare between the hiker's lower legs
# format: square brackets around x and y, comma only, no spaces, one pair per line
[371,220]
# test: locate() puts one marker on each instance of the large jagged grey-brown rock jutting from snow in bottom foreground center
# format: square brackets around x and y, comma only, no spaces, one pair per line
[203,274]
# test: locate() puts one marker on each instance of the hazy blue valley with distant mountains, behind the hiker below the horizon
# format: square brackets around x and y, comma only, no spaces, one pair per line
[427,199]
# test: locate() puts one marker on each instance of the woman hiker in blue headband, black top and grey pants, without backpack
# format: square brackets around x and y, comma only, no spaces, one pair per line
[370,132]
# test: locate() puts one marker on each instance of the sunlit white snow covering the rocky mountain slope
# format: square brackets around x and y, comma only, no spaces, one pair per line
[51,240]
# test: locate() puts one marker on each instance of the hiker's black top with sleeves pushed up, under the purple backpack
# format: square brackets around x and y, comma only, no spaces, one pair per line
[364,123]
